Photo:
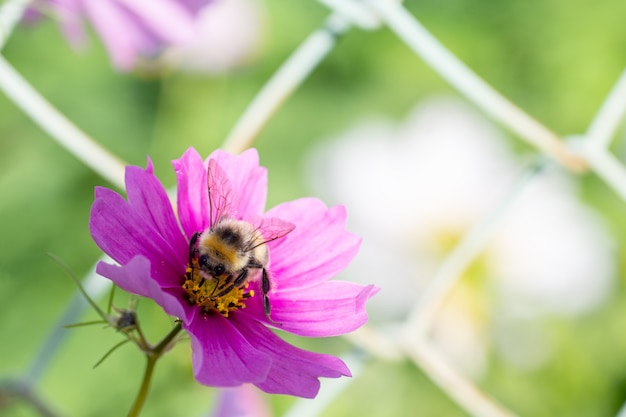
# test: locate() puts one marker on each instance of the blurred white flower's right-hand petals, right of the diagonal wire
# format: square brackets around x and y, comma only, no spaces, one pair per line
[552,253]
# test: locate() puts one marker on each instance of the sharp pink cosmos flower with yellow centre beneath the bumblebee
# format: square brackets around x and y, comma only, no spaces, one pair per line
[228,325]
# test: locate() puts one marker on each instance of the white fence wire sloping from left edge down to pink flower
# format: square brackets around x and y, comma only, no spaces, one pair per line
[59,127]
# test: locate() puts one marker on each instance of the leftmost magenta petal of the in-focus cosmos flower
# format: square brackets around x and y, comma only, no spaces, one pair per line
[122,234]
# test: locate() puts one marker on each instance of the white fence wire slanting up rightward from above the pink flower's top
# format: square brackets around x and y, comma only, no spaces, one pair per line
[283,83]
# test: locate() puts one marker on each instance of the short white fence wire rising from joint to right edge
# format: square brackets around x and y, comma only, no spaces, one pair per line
[609,116]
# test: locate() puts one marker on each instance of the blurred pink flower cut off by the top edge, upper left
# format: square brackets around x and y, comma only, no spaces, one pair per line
[128,28]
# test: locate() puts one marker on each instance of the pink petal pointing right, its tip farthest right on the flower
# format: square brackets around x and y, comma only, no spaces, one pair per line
[330,309]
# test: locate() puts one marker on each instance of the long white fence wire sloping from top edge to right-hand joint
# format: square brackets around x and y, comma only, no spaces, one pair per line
[449,67]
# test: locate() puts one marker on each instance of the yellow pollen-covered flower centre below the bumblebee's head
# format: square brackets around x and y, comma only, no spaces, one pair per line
[214,293]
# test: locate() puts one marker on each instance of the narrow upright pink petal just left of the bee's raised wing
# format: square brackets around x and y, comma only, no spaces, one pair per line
[193,197]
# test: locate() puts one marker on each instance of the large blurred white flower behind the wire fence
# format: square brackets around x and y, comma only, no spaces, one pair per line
[413,190]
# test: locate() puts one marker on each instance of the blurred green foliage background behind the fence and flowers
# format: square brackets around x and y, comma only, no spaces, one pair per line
[557,59]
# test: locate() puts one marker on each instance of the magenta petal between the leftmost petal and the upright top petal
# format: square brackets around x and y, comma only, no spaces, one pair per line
[149,199]
